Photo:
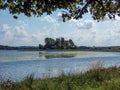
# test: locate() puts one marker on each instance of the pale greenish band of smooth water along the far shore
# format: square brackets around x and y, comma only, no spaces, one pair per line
[41,55]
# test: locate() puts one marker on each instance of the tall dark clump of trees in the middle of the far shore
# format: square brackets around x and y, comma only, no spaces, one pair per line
[58,43]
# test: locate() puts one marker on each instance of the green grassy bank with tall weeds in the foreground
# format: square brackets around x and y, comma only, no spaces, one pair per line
[97,78]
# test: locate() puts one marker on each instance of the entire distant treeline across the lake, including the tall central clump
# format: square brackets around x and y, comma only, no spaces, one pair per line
[61,44]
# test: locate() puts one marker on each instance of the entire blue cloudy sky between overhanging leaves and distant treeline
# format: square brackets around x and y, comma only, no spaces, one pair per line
[31,31]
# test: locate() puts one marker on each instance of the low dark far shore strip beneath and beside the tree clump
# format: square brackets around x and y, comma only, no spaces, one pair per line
[78,48]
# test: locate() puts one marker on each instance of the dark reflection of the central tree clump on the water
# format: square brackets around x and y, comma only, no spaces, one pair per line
[56,55]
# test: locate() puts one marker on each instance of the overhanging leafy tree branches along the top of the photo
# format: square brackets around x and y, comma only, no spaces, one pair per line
[71,8]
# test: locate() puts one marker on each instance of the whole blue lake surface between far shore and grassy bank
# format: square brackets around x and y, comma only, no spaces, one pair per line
[16,65]
